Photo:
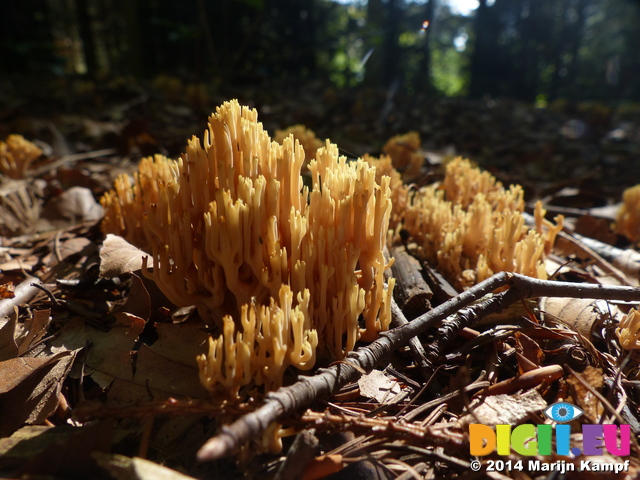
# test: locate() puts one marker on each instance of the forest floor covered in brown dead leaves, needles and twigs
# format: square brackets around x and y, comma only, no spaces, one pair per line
[58,421]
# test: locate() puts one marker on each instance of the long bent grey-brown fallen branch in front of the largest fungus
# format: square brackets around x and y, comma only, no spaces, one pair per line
[327,381]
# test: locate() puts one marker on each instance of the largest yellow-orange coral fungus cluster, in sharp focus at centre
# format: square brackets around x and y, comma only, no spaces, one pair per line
[230,223]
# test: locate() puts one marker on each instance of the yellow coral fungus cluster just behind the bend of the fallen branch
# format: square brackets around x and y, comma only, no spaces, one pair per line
[471,227]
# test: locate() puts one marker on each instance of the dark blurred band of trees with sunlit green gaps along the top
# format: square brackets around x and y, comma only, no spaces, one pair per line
[531,50]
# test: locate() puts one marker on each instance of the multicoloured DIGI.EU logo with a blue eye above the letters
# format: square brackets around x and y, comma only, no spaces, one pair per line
[529,440]
